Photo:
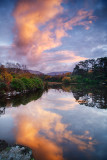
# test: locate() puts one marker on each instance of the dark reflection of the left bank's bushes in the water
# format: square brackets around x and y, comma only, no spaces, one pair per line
[20,99]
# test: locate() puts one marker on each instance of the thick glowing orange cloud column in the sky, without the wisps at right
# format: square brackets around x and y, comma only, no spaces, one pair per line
[30,17]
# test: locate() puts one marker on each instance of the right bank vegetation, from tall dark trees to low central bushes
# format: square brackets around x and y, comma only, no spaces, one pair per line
[90,71]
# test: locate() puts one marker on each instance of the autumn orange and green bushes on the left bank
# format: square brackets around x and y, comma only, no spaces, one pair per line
[16,79]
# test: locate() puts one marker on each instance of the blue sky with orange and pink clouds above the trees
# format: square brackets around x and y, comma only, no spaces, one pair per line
[52,35]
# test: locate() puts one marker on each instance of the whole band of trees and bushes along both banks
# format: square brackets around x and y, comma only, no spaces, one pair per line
[14,77]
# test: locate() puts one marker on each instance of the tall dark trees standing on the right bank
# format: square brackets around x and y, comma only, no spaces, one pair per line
[92,69]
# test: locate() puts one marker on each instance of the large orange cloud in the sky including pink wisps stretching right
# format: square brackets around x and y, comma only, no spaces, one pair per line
[40,26]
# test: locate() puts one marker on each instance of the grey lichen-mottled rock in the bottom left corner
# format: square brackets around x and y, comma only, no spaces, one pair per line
[14,152]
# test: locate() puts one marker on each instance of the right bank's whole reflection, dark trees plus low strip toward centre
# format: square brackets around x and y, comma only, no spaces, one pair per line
[92,96]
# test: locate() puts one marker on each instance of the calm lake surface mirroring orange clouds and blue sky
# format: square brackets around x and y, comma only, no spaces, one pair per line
[60,124]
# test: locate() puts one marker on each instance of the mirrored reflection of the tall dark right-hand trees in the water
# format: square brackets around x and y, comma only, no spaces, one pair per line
[92,97]
